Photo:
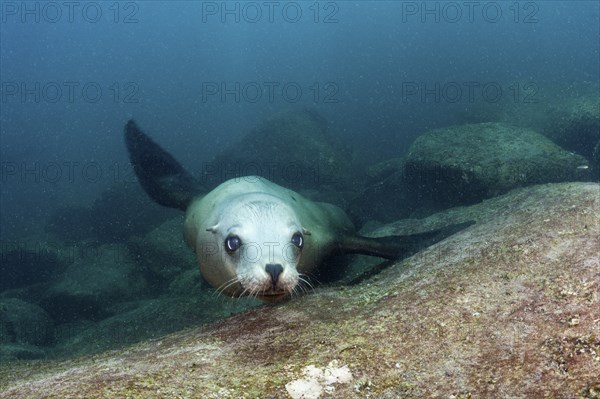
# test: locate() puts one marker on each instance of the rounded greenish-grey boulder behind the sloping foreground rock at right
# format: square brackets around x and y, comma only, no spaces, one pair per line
[464,164]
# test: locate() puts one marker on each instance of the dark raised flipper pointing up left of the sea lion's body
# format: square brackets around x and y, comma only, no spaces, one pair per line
[160,175]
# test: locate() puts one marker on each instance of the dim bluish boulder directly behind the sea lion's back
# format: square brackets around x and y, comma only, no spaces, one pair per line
[291,148]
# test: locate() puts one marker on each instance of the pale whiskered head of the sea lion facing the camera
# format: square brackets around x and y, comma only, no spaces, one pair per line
[255,247]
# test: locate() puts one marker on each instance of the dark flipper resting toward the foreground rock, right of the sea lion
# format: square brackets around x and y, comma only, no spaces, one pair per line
[395,247]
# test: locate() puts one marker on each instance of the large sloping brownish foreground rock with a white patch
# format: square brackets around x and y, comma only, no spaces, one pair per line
[505,308]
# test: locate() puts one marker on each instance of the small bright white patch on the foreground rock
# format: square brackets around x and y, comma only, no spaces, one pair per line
[316,380]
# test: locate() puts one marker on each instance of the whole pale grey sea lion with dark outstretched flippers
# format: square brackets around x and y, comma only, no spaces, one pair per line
[251,236]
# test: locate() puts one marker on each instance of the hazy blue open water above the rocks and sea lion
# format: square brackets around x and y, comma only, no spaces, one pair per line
[196,76]
